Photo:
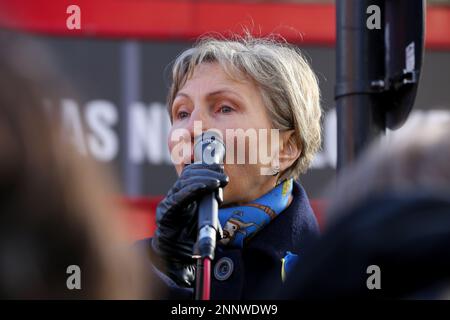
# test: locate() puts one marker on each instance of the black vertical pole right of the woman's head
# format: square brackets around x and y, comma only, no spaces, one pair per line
[360,66]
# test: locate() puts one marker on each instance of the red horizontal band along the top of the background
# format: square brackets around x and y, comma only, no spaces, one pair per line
[187,19]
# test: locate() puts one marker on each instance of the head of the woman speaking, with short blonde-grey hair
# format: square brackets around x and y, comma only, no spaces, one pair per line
[252,86]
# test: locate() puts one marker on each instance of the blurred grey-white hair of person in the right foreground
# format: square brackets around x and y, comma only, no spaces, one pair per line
[415,158]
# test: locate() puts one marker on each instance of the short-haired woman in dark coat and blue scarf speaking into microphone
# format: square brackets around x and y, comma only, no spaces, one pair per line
[248,84]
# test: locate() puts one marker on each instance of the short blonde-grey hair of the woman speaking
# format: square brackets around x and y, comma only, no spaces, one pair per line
[288,86]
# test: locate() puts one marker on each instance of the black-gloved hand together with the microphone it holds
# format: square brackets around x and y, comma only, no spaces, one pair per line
[177,214]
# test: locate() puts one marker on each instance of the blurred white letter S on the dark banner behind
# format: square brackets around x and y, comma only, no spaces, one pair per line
[101,115]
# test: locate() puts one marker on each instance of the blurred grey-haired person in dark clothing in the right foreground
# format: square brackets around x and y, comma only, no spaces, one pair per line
[391,212]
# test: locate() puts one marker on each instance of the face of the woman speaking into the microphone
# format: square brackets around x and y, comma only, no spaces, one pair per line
[220,102]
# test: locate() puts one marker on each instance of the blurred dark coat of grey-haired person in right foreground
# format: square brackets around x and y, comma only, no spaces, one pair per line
[406,235]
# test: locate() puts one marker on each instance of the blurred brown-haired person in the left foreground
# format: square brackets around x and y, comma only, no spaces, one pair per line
[55,208]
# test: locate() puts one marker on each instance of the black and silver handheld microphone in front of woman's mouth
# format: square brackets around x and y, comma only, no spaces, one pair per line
[208,149]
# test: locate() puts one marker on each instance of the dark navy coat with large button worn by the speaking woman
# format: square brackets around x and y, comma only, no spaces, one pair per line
[254,271]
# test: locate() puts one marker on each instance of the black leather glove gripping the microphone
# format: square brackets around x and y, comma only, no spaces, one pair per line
[176,218]
